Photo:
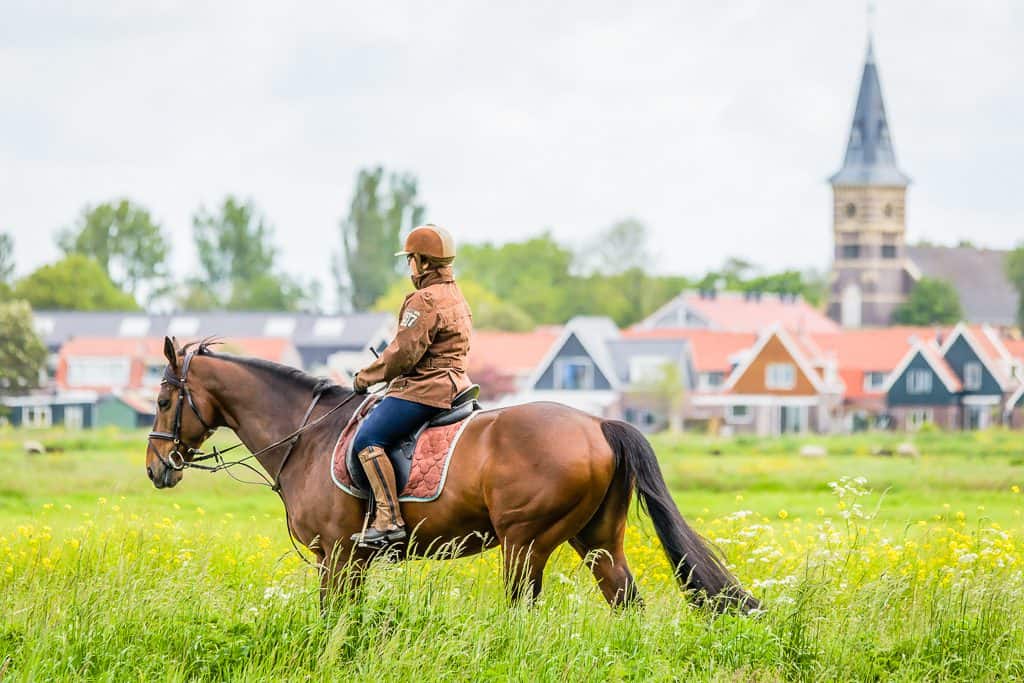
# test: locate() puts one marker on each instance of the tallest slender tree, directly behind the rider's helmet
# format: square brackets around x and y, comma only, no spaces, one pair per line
[372,234]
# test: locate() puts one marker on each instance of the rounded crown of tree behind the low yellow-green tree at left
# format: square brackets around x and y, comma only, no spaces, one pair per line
[124,240]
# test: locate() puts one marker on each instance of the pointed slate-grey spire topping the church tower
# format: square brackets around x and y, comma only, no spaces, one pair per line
[871,159]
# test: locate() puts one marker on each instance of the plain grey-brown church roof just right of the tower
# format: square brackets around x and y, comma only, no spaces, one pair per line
[979,277]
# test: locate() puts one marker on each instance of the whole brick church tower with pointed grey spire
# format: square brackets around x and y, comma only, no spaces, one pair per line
[869,216]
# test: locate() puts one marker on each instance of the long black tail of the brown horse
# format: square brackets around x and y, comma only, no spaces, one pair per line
[696,565]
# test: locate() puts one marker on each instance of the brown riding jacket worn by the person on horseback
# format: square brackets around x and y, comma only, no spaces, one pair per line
[428,358]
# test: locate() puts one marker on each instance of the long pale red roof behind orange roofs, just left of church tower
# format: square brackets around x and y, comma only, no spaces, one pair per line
[734,312]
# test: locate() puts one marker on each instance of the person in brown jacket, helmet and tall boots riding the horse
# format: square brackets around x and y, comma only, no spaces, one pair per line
[425,365]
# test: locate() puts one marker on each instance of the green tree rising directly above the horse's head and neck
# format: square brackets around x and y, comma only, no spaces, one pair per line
[236,253]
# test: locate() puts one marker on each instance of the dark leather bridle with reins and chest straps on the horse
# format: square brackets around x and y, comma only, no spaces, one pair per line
[177,459]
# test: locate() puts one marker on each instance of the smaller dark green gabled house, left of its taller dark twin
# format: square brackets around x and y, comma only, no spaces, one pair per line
[923,389]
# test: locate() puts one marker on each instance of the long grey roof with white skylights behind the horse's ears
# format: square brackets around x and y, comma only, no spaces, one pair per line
[307,331]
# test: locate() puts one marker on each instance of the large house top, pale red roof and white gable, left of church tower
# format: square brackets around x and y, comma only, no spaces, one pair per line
[739,312]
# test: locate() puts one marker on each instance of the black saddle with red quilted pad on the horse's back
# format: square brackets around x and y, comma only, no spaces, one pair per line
[419,478]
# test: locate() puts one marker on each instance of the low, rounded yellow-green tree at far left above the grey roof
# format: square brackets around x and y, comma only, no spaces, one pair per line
[76,283]
